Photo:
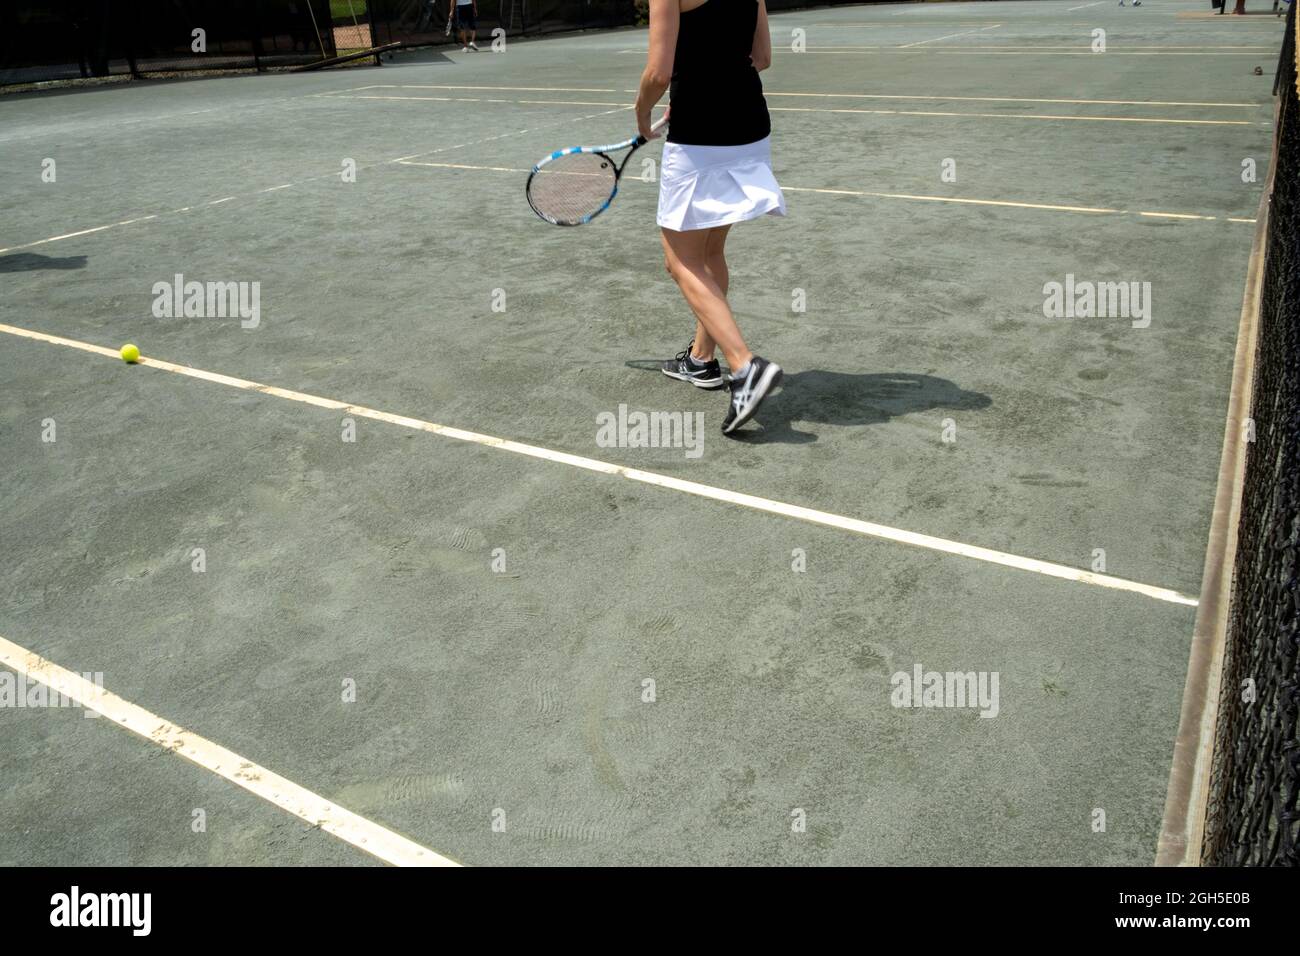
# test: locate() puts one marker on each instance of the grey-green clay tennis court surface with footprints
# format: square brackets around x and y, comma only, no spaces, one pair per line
[545,663]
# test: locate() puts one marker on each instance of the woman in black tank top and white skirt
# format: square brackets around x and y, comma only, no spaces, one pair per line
[717,171]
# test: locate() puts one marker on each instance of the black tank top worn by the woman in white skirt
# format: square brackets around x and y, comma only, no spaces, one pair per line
[716,94]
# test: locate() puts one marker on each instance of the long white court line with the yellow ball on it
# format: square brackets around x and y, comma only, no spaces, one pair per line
[649,478]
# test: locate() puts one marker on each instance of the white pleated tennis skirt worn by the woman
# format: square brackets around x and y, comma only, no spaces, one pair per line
[707,187]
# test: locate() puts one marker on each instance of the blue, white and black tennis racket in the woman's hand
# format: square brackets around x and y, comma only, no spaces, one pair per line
[573,187]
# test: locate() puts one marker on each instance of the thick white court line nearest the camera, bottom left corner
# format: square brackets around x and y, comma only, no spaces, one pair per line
[365,834]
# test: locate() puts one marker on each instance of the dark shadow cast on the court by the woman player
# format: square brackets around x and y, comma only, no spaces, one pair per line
[851,399]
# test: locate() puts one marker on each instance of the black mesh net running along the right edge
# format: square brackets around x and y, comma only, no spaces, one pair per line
[1255,781]
